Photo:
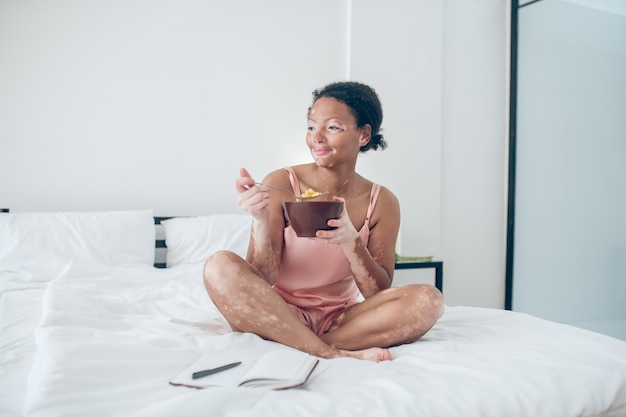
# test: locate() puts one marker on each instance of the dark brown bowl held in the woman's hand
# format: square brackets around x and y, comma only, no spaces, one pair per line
[307,217]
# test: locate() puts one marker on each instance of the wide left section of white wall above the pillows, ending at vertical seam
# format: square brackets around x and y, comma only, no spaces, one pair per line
[132,104]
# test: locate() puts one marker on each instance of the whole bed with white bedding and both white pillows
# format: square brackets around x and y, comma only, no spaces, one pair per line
[90,327]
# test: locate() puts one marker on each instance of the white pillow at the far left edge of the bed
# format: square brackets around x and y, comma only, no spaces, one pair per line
[38,246]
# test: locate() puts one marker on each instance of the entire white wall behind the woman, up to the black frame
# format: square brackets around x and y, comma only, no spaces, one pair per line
[141,104]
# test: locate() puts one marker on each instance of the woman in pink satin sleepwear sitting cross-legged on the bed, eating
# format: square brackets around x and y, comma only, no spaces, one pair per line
[331,295]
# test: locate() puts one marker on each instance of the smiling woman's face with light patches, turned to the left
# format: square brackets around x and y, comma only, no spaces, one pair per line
[332,134]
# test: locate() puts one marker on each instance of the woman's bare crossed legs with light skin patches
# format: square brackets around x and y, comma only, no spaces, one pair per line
[251,305]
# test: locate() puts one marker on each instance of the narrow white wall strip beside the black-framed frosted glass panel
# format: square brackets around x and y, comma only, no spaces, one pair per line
[474,146]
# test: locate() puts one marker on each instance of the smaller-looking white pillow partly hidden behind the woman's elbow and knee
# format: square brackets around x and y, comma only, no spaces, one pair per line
[190,240]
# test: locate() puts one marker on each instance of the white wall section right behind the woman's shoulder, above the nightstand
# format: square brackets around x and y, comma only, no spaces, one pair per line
[401,55]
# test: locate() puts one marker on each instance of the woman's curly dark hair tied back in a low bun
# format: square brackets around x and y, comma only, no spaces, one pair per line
[364,105]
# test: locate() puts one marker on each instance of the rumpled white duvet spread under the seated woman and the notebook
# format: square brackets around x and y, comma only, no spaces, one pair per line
[111,338]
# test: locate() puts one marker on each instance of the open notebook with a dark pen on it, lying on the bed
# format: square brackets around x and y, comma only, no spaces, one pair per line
[276,369]
